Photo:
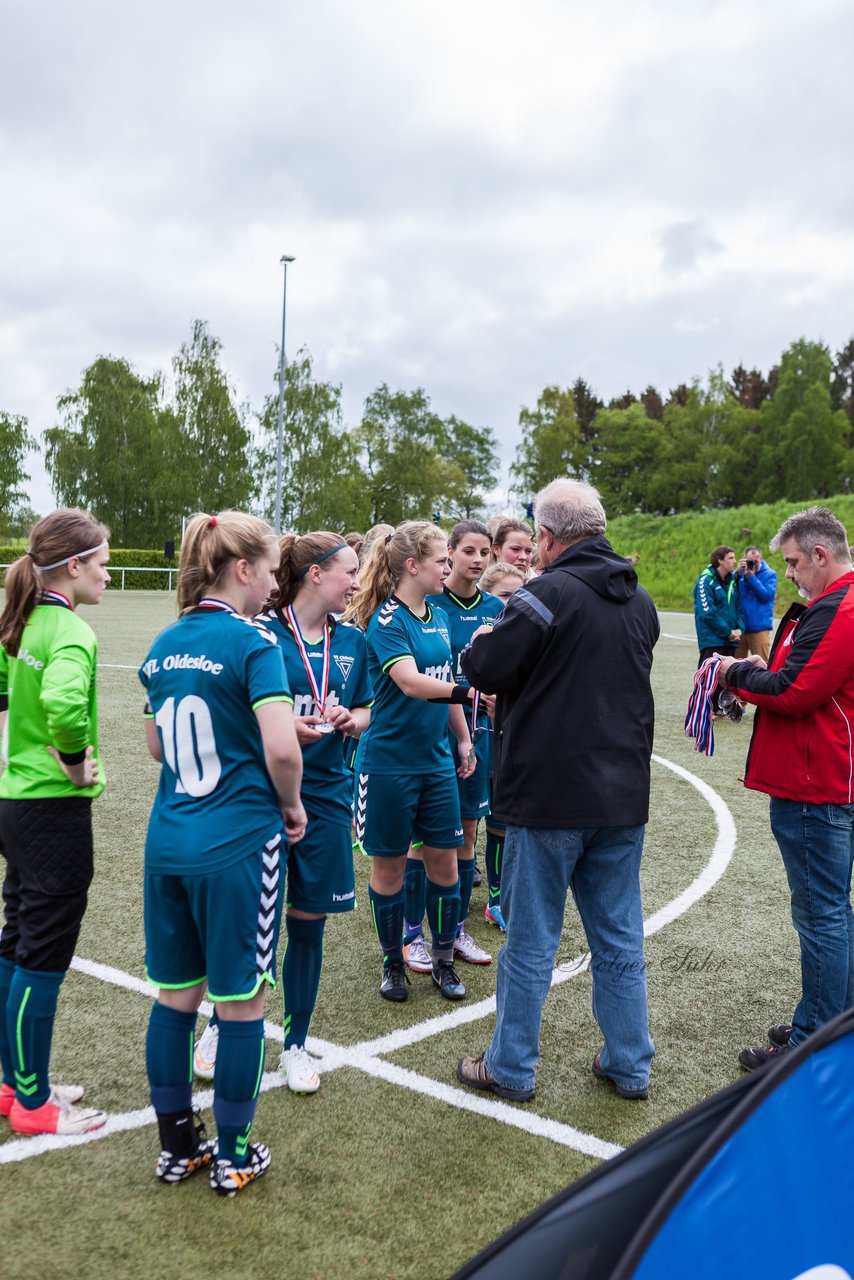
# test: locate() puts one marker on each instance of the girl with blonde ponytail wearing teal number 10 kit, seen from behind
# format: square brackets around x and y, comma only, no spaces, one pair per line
[221,720]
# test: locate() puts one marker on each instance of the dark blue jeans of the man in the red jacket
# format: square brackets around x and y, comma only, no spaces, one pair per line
[818,847]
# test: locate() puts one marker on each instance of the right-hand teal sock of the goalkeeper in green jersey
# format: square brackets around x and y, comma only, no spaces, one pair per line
[31,1011]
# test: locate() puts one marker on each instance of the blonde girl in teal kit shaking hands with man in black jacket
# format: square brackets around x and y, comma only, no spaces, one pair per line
[407,776]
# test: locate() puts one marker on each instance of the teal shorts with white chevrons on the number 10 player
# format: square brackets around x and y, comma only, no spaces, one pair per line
[221,929]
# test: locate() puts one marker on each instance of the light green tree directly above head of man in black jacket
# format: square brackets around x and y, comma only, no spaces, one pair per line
[552,444]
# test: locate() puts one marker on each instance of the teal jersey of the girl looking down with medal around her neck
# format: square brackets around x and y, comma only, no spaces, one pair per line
[327,783]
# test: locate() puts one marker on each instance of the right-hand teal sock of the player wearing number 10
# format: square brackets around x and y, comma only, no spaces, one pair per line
[238,1080]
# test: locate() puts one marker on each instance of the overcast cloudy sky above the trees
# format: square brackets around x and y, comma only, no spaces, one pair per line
[482,198]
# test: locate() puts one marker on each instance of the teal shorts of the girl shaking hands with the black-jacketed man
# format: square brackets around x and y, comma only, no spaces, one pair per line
[395,811]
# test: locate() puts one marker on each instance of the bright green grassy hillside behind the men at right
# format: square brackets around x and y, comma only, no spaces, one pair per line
[673,550]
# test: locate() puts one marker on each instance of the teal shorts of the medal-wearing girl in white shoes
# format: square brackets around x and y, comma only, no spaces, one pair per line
[321,868]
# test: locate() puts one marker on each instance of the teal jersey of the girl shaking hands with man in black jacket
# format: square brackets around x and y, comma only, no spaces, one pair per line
[407,734]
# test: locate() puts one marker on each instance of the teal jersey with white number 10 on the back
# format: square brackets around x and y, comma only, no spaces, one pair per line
[205,676]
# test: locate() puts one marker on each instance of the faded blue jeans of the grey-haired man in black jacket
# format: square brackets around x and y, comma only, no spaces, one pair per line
[601,866]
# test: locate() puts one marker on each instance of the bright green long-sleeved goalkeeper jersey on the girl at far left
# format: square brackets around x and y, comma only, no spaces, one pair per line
[49,688]
